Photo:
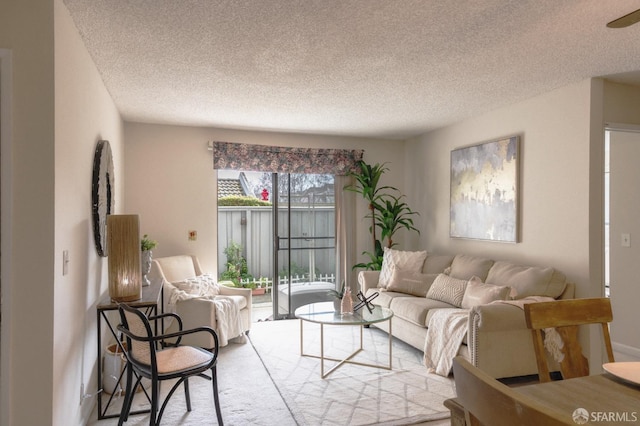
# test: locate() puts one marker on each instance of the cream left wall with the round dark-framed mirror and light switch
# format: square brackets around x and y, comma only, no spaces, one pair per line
[85,113]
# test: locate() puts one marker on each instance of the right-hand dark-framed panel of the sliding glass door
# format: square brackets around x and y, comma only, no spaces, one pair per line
[304,240]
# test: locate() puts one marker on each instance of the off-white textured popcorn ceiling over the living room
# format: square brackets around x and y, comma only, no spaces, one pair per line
[374,68]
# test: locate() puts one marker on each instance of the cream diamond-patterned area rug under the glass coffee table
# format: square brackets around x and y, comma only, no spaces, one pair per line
[352,394]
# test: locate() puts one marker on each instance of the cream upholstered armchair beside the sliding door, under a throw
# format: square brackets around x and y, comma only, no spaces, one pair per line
[196,312]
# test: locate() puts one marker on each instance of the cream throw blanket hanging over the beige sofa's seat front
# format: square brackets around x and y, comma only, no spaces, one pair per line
[445,332]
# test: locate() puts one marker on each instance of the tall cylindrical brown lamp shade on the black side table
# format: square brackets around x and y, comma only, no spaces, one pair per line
[123,246]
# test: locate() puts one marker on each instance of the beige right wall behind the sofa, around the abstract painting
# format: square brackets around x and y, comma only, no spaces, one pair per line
[554,184]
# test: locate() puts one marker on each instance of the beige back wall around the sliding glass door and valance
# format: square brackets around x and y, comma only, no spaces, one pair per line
[171,182]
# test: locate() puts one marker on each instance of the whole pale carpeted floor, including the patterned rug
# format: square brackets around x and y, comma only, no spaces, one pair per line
[266,382]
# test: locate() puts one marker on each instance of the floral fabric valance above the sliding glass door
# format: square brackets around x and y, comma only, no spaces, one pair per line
[276,159]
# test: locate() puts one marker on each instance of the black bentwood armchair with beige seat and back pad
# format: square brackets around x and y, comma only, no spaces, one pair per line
[173,362]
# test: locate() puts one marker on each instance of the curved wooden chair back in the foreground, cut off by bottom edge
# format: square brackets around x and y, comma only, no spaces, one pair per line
[488,402]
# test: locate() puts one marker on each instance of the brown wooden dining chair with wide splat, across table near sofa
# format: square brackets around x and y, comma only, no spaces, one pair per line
[565,316]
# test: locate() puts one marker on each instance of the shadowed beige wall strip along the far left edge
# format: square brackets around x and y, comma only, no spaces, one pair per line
[26,28]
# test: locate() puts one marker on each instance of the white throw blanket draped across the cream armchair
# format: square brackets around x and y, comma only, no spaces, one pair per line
[228,320]
